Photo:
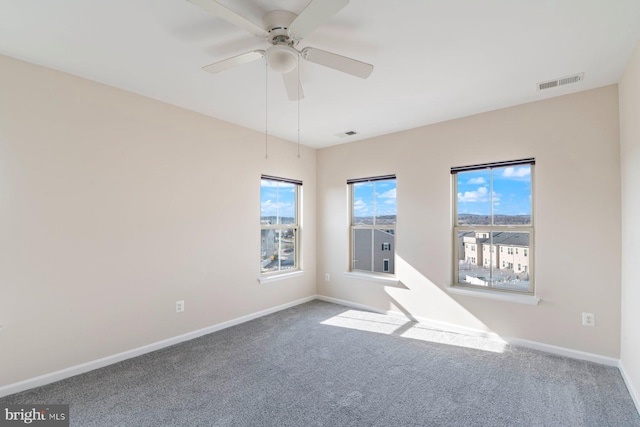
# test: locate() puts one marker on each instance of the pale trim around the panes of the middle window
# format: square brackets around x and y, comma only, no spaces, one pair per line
[365,273]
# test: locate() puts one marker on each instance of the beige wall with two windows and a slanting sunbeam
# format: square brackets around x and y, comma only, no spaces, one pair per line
[574,139]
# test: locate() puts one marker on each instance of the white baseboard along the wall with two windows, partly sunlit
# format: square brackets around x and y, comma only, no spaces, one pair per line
[561,351]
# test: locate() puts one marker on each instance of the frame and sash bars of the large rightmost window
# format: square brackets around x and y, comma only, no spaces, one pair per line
[494,228]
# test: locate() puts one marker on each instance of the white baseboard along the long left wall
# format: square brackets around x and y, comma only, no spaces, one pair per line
[109,360]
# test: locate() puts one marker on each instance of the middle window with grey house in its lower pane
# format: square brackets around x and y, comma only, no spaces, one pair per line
[373,224]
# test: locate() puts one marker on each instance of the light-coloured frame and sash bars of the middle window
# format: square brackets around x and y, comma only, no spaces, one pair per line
[353,227]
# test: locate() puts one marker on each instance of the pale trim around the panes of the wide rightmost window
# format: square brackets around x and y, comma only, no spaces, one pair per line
[470,289]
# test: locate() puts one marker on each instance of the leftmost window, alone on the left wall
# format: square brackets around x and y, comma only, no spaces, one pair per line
[279,224]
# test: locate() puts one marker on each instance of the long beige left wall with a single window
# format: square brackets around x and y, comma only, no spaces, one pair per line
[113,207]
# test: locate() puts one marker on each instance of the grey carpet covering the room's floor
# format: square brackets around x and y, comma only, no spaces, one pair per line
[321,364]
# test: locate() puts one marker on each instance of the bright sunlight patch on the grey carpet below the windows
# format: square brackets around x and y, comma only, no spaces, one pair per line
[384,324]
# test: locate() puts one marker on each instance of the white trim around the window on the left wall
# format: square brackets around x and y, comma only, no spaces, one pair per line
[296,227]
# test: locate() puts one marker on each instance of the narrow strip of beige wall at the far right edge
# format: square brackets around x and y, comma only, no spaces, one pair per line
[630,162]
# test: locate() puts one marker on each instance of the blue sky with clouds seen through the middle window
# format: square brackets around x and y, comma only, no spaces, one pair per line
[379,196]
